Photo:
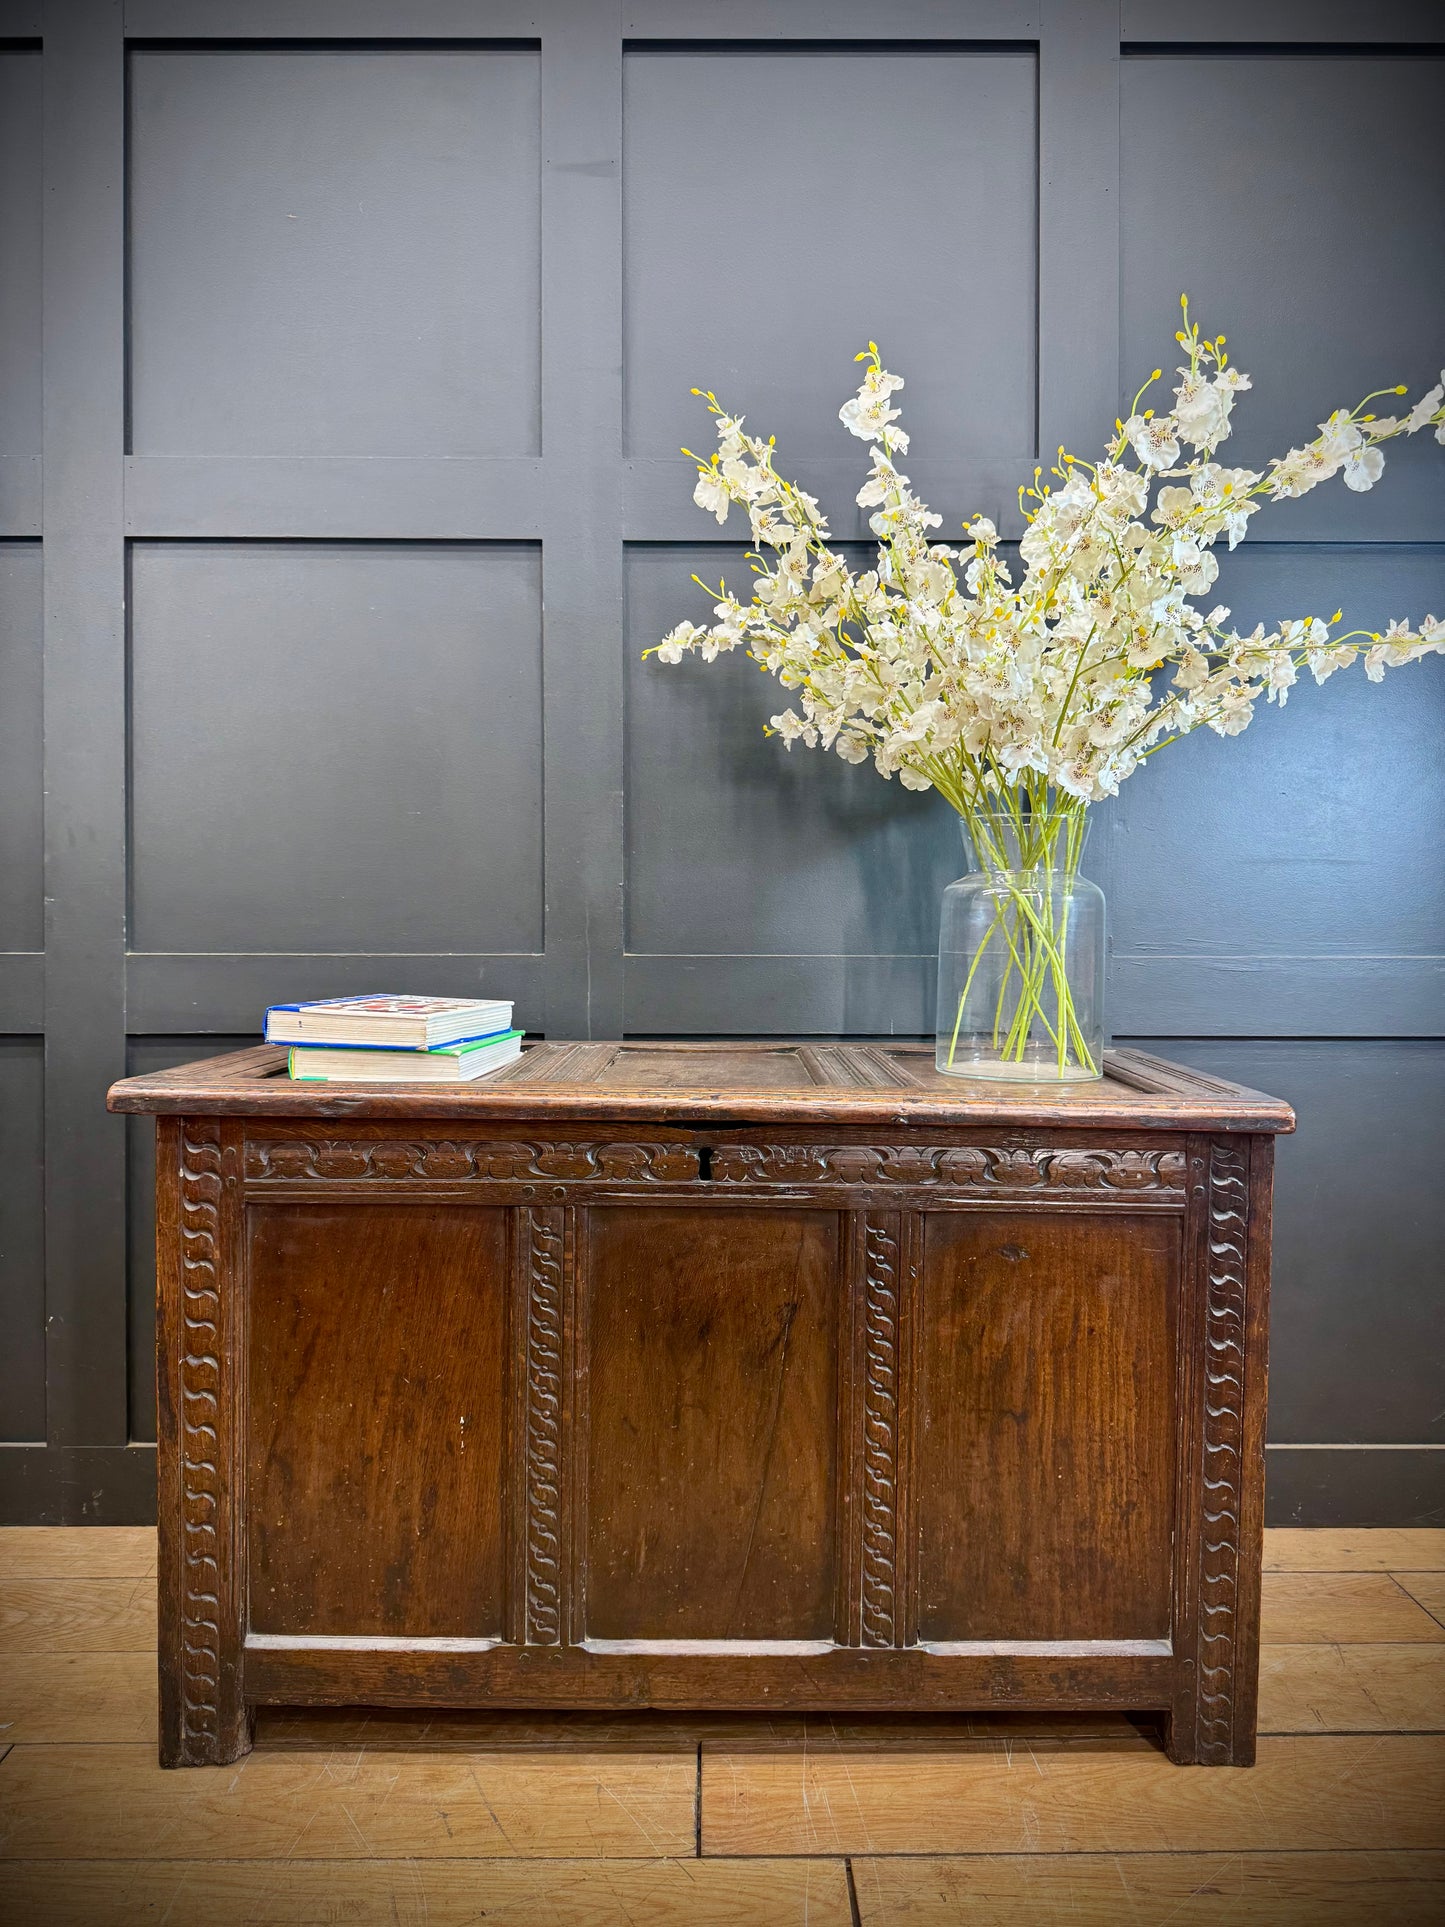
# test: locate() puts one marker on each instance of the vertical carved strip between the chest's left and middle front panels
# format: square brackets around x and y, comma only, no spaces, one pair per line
[546,1236]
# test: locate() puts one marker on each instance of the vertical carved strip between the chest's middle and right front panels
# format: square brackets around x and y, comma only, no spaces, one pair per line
[880,1568]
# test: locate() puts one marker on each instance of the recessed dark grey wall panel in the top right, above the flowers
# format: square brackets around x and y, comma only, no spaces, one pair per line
[1317,244]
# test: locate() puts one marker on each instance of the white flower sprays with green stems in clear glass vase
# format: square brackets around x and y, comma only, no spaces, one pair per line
[1026,702]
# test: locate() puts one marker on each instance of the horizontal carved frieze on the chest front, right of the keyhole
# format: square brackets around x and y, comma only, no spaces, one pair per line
[960,1169]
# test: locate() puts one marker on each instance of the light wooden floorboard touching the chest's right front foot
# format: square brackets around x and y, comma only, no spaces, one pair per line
[1301,1795]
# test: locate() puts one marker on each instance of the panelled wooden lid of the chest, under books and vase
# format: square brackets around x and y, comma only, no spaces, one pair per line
[727,1082]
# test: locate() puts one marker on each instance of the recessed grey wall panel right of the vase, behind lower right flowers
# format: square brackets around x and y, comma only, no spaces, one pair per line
[1315,833]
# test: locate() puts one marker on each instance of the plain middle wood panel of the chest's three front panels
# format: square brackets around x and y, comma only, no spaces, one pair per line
[714,1365]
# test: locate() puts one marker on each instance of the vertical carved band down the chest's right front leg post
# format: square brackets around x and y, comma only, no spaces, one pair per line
[1224,1442]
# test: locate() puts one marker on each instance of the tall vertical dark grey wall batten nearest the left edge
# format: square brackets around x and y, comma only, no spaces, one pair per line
[84,396]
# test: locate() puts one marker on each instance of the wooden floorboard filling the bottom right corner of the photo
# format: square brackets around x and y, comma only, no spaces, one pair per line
[1182,1889]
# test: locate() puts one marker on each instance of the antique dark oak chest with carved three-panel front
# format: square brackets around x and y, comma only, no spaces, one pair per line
[712,1377]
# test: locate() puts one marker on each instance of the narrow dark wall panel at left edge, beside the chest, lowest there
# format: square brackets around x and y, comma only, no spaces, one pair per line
[22,1238]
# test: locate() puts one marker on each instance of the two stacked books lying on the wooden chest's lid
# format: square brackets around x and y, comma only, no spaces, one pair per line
[394,1040]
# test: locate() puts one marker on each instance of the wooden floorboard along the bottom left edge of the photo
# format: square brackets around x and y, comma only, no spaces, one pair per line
[427,1893]
